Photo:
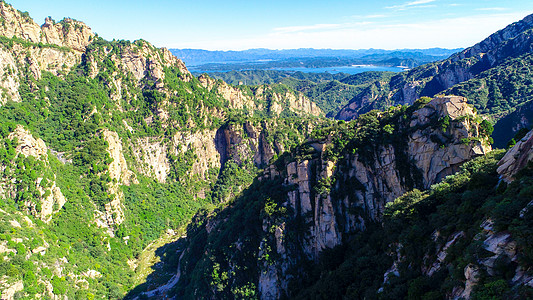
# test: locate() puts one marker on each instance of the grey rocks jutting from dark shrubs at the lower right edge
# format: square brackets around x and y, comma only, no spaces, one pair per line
[499,245]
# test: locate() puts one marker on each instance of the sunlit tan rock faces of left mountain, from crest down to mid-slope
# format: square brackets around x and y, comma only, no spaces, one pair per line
[142,81]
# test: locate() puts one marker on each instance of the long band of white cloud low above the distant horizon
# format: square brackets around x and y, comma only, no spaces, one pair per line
[446,33]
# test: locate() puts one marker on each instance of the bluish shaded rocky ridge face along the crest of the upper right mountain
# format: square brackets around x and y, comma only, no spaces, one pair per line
[510,43]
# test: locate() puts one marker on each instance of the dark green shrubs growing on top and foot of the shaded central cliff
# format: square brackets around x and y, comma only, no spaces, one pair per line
[235,244]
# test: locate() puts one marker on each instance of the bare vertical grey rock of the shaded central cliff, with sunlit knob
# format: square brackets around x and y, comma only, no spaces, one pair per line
[333,198]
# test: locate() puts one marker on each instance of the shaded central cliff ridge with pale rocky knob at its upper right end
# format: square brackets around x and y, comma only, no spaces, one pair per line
[332,187]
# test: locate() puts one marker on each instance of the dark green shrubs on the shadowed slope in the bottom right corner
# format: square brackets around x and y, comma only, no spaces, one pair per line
[455,207]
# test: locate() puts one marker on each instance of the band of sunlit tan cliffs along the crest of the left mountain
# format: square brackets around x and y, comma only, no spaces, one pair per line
[59,47]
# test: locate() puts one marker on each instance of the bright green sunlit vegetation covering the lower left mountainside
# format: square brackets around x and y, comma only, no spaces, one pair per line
[59,112]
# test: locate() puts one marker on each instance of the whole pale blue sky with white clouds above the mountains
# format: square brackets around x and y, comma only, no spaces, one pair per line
[276,24]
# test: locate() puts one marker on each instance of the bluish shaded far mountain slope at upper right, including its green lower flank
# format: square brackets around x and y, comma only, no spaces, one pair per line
[492,74]
